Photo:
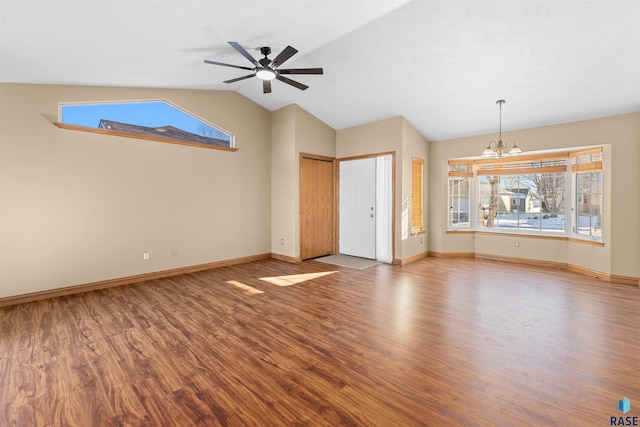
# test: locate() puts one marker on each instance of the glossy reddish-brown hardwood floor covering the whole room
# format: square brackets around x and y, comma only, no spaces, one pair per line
[440,342]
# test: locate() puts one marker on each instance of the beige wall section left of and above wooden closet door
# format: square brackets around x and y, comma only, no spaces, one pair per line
[294,131]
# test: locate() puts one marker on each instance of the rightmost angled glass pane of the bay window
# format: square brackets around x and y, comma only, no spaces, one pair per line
[589,204]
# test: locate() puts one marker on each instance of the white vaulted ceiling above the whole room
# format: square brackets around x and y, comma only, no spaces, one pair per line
[442,64]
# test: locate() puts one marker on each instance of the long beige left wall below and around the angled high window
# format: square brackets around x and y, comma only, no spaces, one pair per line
[78,207]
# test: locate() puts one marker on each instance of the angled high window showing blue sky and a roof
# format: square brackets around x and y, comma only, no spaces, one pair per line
[155,120]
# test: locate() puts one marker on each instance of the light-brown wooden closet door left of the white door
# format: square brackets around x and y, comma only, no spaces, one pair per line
[317,198]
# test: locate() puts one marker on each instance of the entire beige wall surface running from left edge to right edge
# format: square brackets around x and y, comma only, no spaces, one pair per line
[77,208]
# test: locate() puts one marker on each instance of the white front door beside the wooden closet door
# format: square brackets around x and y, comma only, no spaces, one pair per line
[357,207]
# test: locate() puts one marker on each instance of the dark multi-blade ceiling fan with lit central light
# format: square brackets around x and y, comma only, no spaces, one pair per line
[267,69]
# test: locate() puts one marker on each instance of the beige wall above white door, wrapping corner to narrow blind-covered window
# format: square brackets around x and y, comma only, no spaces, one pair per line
[394,134]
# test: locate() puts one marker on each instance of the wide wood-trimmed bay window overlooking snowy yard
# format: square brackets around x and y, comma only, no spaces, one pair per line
[551,193]
